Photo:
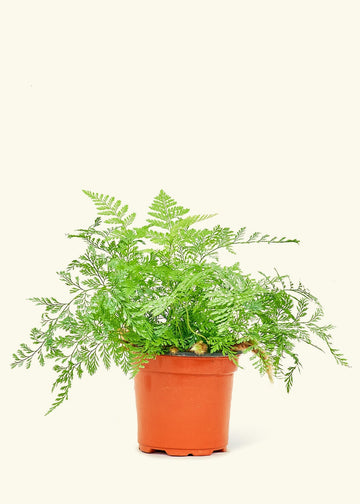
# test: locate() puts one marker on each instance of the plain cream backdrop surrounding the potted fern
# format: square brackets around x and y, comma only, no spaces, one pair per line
[248,109]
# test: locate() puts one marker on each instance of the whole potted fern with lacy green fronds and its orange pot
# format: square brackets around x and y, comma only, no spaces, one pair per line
[156,301]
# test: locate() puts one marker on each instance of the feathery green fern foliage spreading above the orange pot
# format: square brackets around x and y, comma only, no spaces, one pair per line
[138,292]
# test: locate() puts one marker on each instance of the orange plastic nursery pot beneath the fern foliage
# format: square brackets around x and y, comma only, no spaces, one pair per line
[183,404]
